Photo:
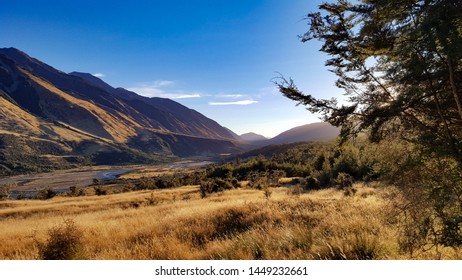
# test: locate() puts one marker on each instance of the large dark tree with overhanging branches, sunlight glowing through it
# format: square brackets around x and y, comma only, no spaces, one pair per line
[400,64]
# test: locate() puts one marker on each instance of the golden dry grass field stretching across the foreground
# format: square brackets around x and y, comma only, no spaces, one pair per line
[235,224]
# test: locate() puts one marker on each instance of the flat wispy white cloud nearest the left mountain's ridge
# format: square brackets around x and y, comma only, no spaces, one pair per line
[157,89]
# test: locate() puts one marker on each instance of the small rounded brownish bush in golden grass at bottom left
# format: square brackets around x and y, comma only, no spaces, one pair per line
[64,242]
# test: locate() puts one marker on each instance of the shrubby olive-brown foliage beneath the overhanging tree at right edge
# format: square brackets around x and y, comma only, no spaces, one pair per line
[432,207]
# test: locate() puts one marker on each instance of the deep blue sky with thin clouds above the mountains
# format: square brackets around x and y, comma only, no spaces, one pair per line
[215,56]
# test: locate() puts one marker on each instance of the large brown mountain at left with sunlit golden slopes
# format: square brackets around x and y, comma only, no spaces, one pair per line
[50,118]
